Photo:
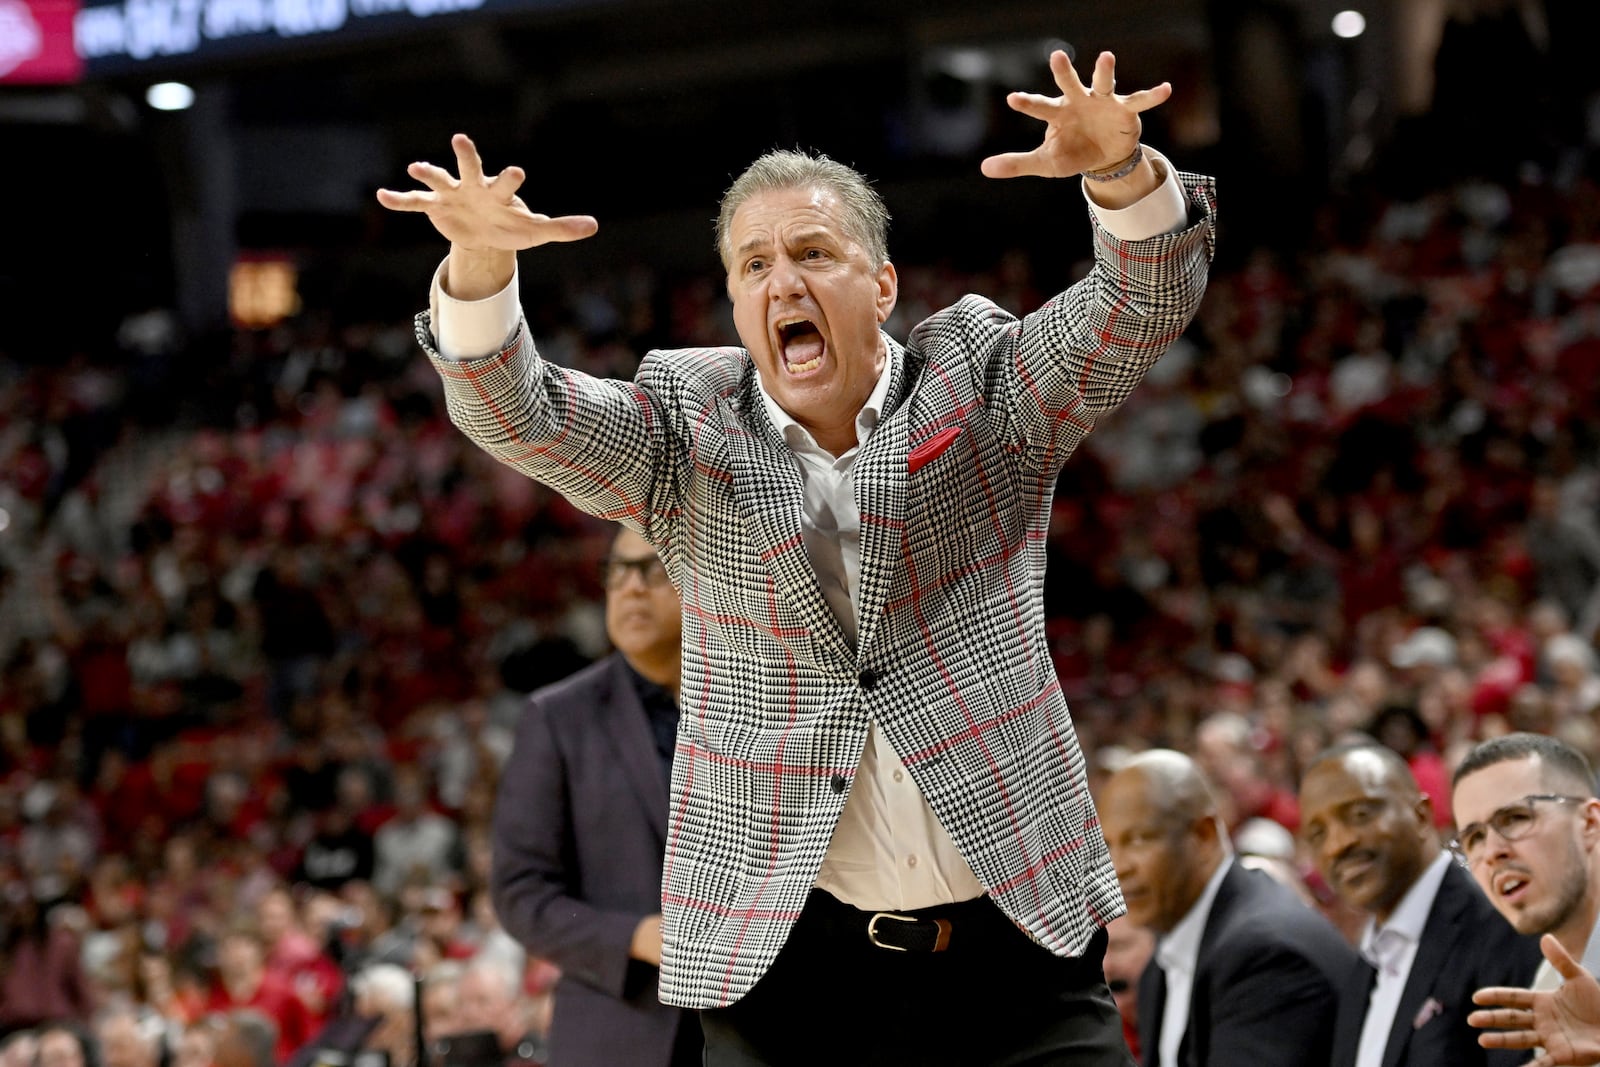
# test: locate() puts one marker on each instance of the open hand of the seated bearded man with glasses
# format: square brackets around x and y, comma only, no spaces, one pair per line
[1566,1023]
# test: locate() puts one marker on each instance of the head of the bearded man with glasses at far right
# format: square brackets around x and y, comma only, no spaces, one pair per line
[1529,829]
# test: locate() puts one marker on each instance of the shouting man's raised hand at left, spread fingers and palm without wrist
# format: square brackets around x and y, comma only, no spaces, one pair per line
[478,214]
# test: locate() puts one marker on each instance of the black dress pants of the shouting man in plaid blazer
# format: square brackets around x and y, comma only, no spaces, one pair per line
[994,999]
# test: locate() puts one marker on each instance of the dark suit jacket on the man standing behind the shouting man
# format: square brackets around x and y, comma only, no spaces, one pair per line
[580,828]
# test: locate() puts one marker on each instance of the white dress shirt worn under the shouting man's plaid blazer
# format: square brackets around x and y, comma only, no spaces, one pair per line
[889,852]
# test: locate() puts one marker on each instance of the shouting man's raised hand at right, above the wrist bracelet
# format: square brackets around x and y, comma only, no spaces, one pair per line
[1089,127]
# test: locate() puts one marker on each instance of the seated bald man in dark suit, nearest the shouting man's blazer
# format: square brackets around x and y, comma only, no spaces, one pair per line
[1244,973]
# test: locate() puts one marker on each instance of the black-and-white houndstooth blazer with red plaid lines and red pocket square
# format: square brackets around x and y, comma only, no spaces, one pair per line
[951,661]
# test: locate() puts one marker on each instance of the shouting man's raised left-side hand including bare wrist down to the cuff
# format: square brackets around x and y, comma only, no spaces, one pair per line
[482,218]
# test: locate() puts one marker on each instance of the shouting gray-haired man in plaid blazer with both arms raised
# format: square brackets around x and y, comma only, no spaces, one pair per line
[882,849]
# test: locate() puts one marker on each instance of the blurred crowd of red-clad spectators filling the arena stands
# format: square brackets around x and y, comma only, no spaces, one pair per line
[268,618]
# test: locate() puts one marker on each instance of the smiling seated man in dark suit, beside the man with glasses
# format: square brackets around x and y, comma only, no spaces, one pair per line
[1431,937]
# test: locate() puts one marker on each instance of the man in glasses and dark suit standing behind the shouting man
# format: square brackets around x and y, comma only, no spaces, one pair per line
[582,826]
